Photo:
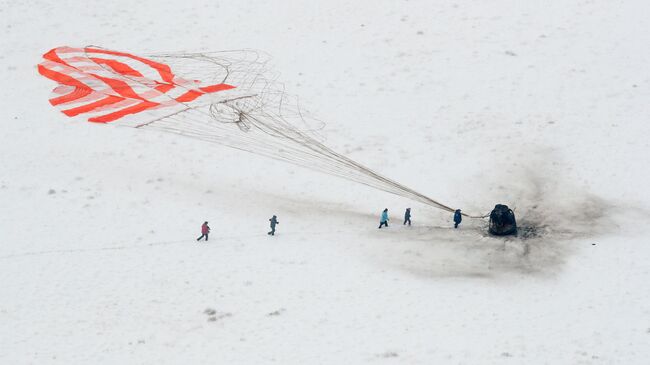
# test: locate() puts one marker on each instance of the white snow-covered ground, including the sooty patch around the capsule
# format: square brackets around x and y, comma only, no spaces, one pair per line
[543,106]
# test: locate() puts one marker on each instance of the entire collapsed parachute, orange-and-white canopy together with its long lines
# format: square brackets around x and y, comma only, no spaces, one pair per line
[229,98]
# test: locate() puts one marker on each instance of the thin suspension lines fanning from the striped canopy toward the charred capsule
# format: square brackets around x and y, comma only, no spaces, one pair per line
[263,129]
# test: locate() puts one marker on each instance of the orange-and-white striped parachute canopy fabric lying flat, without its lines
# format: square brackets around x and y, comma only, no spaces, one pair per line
[107,85]
